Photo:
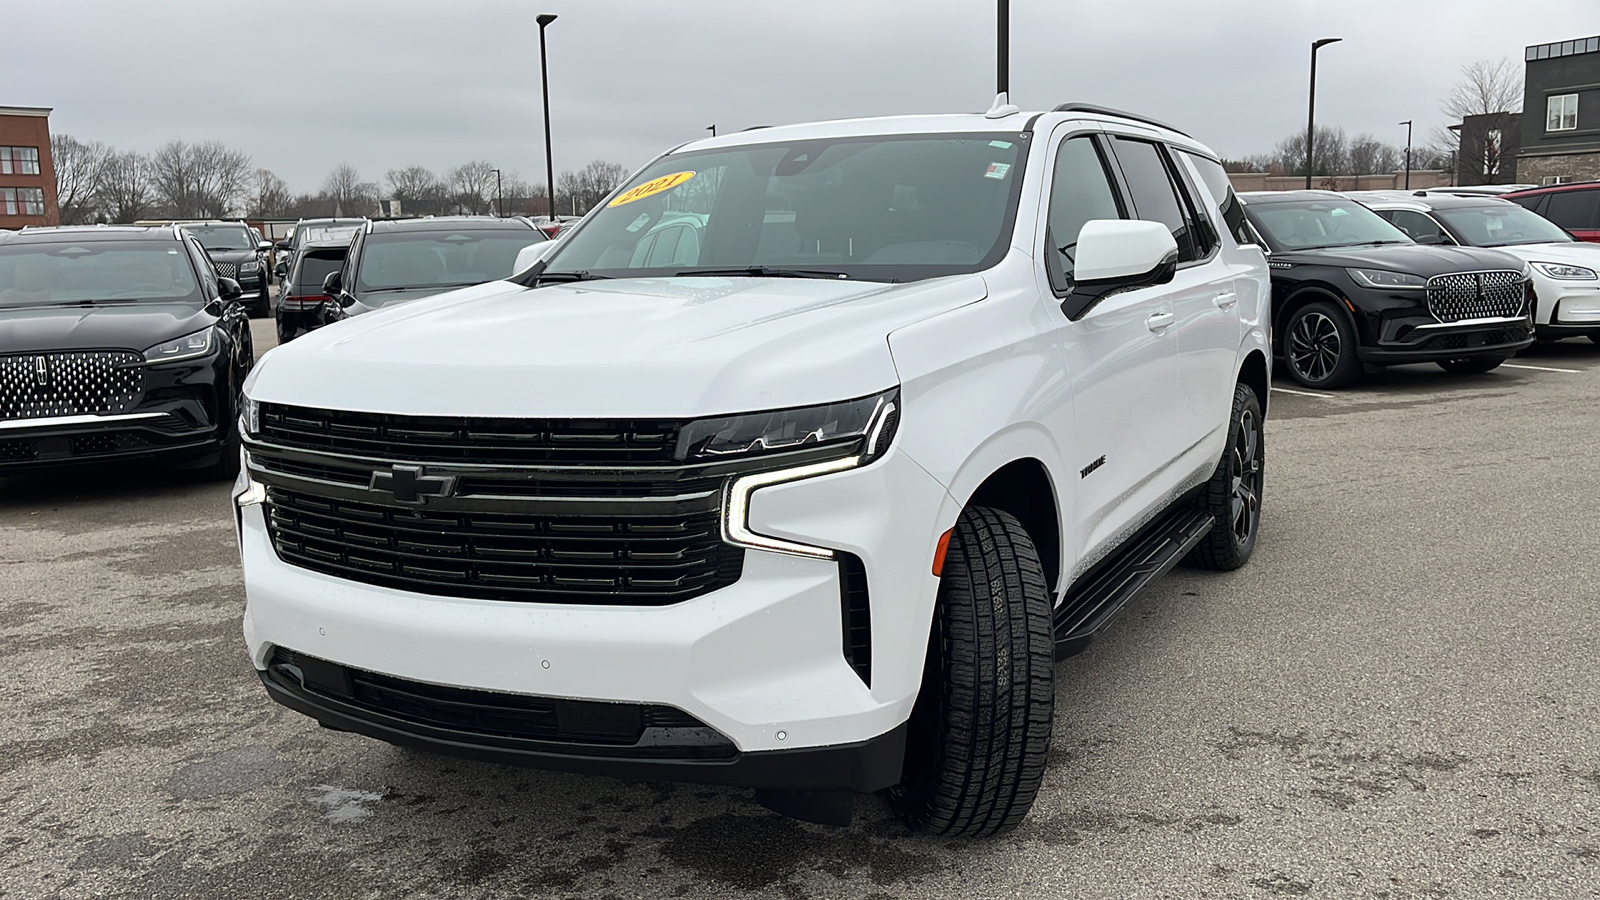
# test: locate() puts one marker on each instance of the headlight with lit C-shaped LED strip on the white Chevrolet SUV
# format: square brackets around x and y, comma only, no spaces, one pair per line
[862,430]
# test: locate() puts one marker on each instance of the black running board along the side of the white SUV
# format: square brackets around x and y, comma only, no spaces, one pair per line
[1094,600]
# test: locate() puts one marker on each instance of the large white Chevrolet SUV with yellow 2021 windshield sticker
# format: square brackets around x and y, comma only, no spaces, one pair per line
[793,467]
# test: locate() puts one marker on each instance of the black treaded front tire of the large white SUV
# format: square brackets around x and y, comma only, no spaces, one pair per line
[980,733]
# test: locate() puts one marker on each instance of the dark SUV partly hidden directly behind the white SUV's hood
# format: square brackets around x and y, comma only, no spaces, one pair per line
[399,260]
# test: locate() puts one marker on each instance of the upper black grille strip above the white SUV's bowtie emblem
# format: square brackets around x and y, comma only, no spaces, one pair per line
[481,441]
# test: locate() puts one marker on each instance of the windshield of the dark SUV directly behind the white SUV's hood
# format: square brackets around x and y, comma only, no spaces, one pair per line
[441,259]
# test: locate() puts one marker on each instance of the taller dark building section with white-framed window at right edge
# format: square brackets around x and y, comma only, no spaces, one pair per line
[1561,113]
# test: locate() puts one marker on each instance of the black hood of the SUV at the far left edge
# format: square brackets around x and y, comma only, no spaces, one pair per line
[134,326]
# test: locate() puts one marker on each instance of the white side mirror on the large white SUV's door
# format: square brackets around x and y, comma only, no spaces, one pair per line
[1119,255]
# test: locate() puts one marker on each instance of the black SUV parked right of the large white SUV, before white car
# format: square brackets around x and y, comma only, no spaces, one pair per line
[1350,291]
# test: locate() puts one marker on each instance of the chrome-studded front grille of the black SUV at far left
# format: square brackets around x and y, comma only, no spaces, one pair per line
[70,384]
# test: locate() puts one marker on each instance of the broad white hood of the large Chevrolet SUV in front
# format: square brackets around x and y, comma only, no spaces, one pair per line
[671,348]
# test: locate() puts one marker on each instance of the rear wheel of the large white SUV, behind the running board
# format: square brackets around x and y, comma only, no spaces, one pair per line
[1234,491]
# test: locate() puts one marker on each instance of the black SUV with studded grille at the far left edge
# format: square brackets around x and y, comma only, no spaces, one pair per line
[119,344]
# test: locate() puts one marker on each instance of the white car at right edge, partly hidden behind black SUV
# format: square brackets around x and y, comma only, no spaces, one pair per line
[1566,270]
